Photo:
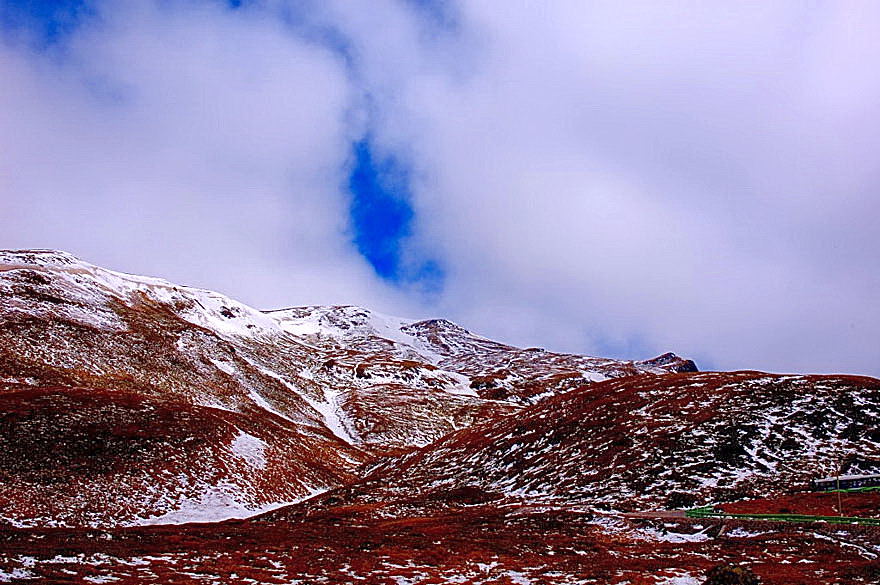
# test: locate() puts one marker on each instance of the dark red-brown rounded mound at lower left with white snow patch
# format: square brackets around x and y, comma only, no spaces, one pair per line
[86,456]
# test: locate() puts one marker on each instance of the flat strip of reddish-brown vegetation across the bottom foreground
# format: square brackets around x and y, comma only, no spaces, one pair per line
[478,544]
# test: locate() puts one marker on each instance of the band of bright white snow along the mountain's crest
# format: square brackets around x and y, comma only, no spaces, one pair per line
[431,341]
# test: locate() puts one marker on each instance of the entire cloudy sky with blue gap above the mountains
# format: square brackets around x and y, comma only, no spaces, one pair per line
[611,178]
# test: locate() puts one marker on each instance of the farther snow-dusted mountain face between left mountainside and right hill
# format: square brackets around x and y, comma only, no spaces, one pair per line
[407,383]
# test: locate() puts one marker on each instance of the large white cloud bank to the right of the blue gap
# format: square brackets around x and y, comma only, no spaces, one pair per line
[692,177]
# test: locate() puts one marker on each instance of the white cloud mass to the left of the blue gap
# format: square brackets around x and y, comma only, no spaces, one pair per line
[192,142]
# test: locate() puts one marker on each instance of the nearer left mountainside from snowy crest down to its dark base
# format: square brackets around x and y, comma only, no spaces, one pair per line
[74,334]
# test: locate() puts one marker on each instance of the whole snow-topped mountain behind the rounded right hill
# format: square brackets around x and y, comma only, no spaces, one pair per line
[132,400]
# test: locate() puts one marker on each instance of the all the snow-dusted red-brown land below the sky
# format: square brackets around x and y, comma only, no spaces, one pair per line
[338,445]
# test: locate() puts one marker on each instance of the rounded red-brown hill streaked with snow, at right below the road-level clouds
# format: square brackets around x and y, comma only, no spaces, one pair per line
[655,442]
